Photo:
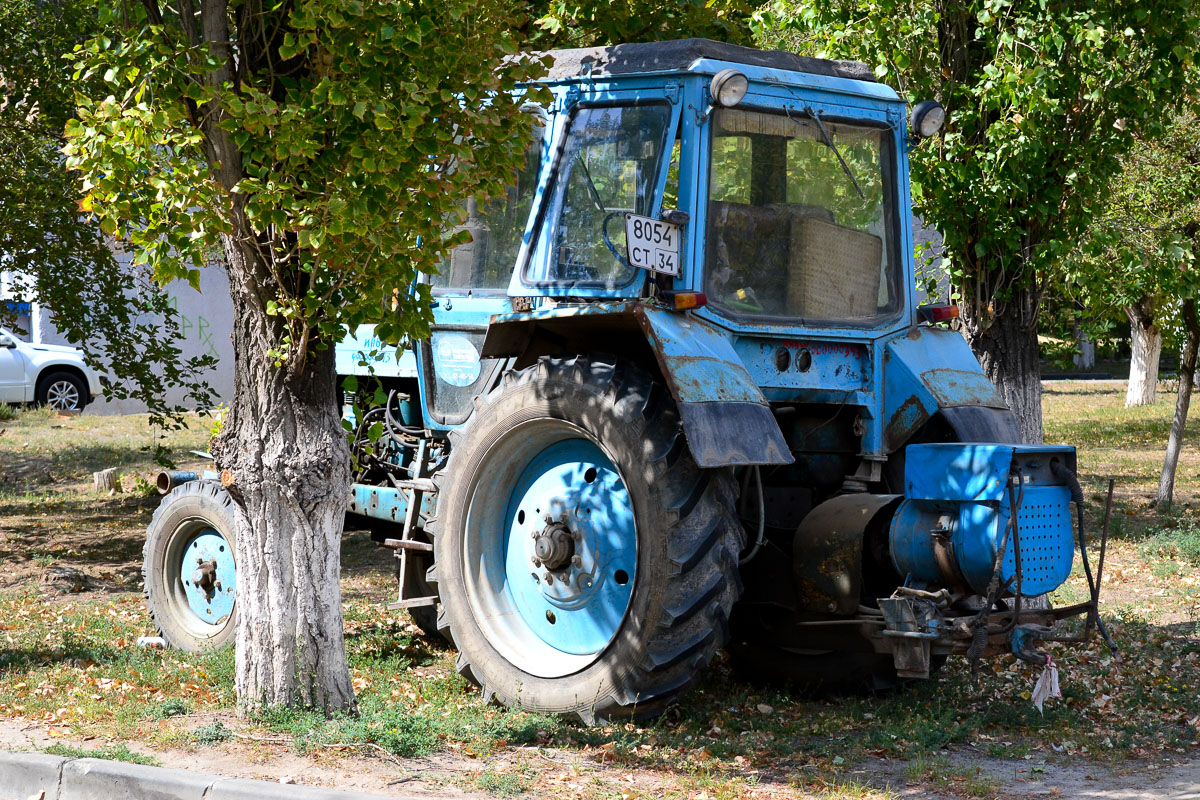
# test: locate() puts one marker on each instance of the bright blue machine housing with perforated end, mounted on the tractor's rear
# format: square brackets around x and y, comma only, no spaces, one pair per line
[957,501]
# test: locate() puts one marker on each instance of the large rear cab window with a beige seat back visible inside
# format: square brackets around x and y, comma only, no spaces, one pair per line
[801,219]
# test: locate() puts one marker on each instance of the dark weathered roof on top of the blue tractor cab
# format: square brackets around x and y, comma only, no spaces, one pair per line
[680,56]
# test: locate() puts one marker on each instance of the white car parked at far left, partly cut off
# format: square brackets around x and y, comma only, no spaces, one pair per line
[47,375]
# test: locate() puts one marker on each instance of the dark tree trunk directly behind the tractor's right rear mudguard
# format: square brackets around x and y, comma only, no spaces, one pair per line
[1007,348]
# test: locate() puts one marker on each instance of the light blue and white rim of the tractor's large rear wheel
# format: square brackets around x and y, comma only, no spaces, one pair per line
[547,477]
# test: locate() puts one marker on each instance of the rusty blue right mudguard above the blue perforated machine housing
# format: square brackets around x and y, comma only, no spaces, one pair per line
[931,370]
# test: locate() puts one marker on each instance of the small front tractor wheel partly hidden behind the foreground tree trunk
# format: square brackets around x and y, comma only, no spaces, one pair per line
[189,568]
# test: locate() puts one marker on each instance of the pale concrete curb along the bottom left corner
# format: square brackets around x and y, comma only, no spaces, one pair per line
[25,775]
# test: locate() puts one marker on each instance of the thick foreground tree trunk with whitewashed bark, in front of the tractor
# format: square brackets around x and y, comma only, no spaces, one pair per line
[285,450]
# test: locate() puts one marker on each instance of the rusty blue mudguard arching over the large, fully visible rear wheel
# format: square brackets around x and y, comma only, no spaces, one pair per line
[727,419]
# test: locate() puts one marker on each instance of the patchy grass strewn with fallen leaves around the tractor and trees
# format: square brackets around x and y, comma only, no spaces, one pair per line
[73,664]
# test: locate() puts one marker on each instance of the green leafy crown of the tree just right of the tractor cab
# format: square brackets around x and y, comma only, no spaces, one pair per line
[1042,101]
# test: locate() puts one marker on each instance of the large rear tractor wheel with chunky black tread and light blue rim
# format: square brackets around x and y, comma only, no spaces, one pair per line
[581,465]
